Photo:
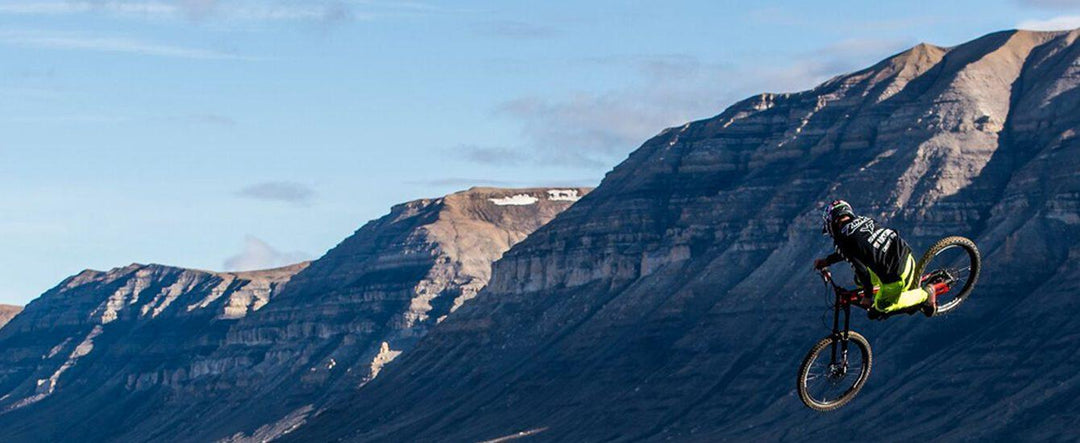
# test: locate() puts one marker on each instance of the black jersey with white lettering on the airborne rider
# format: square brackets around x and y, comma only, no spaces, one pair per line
[866,245]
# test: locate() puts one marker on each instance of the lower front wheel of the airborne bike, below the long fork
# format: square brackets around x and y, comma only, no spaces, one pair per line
[832,373]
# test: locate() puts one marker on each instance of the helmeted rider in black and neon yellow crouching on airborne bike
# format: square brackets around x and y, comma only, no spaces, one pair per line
[880,258]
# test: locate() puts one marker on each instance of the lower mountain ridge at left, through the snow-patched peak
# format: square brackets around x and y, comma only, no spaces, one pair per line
[154,353]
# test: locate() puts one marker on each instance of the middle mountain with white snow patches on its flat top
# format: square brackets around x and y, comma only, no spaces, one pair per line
[371,299]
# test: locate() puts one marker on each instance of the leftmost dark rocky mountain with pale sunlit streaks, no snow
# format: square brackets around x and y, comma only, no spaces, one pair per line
[98,334]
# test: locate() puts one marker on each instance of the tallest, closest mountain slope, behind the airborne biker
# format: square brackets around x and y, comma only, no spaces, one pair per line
[676,301]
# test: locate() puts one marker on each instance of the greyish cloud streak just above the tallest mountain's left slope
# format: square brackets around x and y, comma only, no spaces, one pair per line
[595,130]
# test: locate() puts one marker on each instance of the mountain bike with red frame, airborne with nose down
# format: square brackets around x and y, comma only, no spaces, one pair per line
[839,366]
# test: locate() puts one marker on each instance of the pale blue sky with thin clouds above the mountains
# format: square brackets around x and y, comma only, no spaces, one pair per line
[236,136]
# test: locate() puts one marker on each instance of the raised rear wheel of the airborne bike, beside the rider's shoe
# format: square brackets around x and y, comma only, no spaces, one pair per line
[957,260]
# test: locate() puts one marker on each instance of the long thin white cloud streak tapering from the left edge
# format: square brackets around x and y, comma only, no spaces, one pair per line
[112,45]
